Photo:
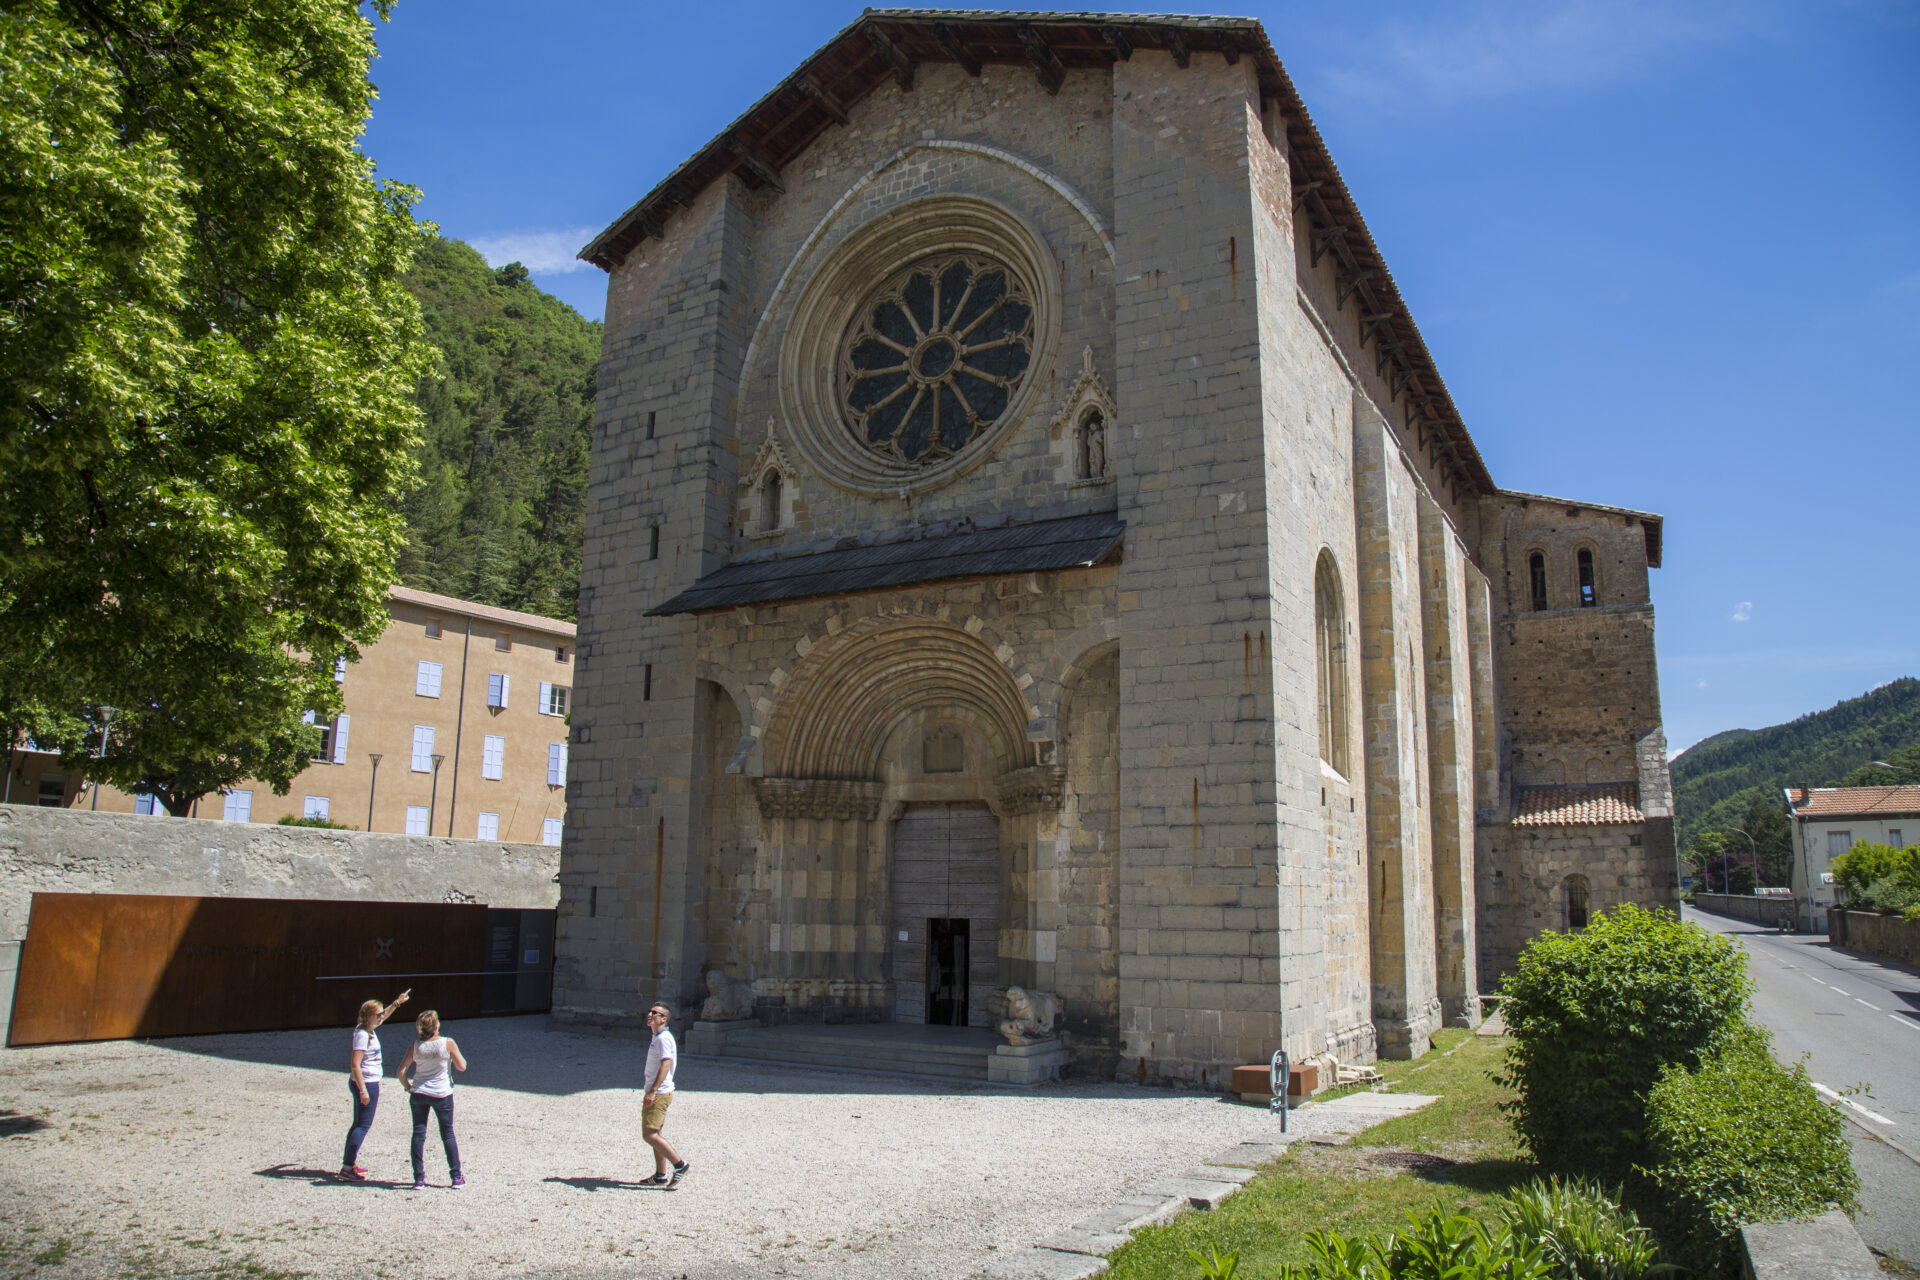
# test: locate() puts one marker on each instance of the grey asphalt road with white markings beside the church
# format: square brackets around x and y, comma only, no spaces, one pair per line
[1858,1022]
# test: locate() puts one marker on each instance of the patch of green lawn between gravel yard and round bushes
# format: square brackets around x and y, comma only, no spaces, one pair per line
[1456,1152]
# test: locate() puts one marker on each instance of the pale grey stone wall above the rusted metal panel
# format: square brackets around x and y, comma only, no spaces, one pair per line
[76,851]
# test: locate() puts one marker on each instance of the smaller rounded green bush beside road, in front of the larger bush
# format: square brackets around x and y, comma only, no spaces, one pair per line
[1740,1141]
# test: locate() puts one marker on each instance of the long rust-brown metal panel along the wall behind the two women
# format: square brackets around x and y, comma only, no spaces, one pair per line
[116,966]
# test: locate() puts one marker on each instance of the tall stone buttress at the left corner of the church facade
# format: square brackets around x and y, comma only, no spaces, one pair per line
[661,462]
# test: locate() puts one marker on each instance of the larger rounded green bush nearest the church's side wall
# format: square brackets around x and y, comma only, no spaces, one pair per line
[1596,1016]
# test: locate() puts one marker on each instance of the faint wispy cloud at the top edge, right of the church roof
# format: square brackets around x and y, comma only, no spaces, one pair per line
[1504,47]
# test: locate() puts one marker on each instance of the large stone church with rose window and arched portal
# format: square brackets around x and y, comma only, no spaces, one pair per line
[1030,546]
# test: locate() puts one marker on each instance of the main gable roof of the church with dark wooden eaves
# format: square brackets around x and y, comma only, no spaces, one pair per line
[886,45]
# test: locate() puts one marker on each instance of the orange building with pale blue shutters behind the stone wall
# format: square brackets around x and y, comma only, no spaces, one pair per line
[454,724]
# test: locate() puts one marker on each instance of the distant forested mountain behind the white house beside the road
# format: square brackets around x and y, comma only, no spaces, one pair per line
[1719,778]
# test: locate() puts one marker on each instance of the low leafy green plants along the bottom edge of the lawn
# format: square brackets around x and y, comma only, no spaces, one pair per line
[1437,1248]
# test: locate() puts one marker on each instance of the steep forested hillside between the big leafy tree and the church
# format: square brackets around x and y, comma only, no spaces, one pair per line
[510,419]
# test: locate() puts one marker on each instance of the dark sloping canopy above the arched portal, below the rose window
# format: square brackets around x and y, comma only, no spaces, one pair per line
[1044,546]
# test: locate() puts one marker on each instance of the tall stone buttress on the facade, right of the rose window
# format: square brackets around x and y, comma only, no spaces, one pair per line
[1199,822]
